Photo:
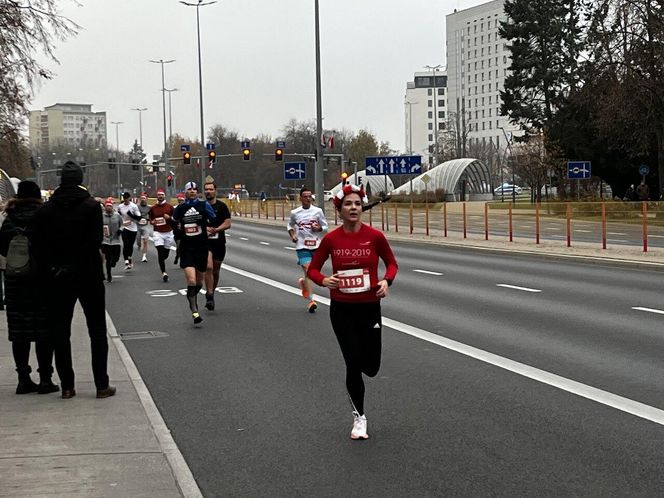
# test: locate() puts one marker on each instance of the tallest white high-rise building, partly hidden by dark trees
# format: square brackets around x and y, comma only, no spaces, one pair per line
[477,63]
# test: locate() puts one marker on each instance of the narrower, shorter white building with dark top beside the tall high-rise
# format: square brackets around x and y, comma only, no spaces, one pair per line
[425,112]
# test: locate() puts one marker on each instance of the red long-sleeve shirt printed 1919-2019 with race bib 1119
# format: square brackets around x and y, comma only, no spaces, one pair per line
[355,258]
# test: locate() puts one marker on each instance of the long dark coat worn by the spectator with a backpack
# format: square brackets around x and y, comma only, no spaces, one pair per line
[26,314]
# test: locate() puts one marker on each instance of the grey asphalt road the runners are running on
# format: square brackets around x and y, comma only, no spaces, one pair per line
[501,376]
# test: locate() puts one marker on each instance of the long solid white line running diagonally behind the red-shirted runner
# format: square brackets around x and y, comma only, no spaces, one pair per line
[606,398]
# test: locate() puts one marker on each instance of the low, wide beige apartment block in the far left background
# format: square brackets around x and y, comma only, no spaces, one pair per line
[68,124]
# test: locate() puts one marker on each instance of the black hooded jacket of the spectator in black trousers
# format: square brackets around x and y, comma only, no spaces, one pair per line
[68,235]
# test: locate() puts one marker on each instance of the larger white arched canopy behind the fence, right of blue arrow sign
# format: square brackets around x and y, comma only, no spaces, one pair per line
[448,176]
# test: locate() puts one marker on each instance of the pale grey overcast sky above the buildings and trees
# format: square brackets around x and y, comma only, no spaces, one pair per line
[258,63]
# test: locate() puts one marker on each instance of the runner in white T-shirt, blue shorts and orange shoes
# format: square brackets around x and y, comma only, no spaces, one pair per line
[306,226]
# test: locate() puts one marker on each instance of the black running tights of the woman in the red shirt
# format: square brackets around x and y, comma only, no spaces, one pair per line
[358,330]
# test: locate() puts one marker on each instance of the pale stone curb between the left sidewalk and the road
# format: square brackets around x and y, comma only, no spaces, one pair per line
[181,471]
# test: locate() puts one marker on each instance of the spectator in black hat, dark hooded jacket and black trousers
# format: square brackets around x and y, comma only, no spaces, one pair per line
[68,235]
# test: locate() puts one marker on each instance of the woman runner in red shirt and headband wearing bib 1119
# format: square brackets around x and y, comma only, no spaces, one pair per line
[355,294]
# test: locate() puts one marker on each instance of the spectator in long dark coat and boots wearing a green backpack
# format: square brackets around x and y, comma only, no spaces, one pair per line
[26,316]
